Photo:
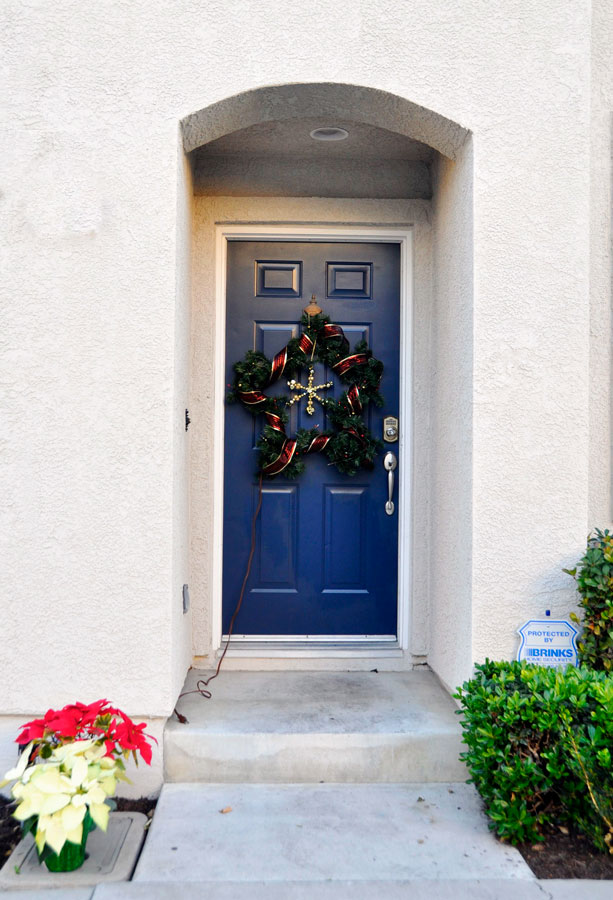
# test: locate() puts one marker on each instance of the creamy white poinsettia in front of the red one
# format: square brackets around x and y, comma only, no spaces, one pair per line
[66,793]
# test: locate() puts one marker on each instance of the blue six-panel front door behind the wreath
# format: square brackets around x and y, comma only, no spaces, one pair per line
[326,554]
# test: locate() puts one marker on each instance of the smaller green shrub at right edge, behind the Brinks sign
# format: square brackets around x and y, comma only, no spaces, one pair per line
[594,577]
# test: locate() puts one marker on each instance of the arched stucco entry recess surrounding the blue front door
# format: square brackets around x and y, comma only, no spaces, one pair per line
[258,173]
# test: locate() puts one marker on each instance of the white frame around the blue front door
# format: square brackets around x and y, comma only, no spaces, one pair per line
[342,233]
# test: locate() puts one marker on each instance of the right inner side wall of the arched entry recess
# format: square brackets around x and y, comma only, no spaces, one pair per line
[451,404]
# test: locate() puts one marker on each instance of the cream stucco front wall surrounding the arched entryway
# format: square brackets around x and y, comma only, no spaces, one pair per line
[94,297]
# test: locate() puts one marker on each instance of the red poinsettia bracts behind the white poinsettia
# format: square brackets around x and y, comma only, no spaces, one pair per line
[97,721]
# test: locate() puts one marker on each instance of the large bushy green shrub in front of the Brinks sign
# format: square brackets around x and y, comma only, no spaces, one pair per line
[539,748]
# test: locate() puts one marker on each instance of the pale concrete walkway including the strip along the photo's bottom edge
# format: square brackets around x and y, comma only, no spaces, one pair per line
[330,841]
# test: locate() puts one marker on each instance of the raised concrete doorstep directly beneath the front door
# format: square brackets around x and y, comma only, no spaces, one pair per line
[310,727]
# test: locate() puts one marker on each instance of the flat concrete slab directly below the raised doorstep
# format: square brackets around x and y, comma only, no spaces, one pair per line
[322,833]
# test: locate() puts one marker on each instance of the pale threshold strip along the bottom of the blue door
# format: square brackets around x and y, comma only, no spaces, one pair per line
[313,649]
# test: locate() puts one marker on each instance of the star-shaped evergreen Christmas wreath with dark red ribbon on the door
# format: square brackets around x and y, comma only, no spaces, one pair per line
[348,444]
